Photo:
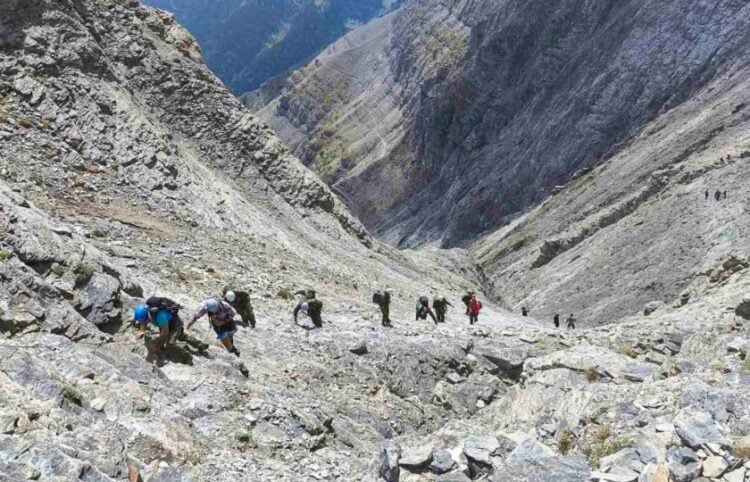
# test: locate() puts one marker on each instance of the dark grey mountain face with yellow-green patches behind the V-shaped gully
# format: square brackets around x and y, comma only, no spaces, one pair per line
[483,107]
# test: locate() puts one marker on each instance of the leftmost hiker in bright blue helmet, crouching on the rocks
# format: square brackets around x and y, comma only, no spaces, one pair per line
[164,314]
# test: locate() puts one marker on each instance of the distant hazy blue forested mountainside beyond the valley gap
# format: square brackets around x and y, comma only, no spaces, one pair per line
[249,42]
